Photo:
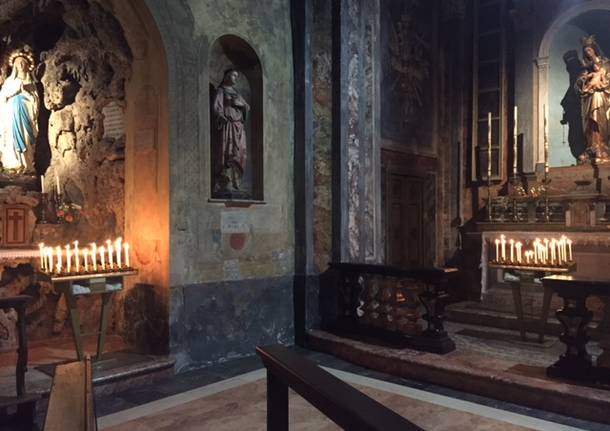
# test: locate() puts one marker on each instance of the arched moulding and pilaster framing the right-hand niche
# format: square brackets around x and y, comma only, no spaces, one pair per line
[542,83]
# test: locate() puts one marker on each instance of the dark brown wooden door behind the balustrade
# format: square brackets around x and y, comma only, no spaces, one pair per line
[405,221]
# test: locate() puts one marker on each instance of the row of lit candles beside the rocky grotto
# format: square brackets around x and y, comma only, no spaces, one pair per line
[74,260]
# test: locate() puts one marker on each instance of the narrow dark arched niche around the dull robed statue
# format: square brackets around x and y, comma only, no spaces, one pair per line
[226,52]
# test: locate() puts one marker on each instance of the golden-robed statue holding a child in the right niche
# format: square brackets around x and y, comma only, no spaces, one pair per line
[593,86]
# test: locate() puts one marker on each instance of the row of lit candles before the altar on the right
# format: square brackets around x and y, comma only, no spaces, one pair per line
[554,252]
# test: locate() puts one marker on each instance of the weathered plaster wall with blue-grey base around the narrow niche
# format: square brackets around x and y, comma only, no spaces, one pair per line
[230,287]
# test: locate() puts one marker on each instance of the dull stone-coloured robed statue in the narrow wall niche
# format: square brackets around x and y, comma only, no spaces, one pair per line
[230,112]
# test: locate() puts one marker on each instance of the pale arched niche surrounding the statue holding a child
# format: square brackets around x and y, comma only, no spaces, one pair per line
[558,54]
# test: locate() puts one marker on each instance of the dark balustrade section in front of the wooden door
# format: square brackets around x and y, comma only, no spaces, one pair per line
[384,302]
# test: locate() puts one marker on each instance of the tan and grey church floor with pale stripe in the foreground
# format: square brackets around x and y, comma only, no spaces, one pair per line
[231,396]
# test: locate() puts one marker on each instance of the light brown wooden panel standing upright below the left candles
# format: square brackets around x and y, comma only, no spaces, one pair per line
[71,403]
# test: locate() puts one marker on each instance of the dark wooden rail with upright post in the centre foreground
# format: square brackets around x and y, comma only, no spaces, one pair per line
[340,402]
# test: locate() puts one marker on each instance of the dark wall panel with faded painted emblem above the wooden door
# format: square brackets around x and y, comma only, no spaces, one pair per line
[407,72]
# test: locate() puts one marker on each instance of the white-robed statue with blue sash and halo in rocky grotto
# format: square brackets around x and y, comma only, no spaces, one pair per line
[19,114]
